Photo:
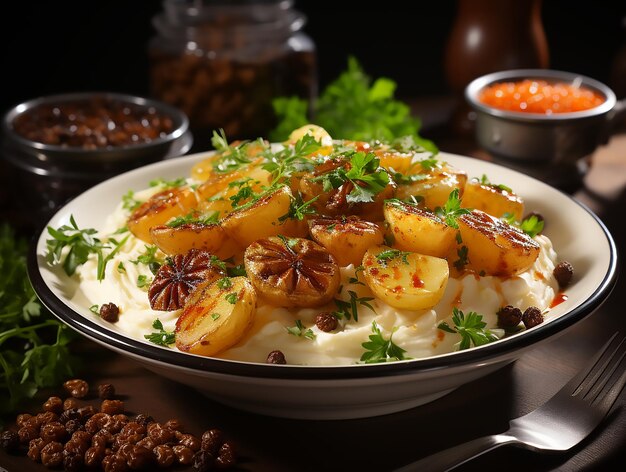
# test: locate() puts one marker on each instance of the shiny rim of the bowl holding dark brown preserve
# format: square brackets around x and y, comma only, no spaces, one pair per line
[181,122]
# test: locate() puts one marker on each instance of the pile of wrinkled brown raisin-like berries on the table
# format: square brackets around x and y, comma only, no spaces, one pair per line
[65,435]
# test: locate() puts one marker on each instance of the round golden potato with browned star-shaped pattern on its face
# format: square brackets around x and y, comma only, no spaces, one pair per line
[292,271]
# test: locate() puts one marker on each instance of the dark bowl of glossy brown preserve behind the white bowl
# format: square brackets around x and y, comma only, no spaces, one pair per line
[60,145]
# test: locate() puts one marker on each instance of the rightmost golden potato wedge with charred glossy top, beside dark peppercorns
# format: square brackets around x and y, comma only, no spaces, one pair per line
[494,247]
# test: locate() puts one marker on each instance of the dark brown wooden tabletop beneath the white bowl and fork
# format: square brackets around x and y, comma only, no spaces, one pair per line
[383,443]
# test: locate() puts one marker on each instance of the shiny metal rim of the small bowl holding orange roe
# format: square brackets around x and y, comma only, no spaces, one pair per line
[475,86]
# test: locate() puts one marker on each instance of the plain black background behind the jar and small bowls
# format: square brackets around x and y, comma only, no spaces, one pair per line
[55,47]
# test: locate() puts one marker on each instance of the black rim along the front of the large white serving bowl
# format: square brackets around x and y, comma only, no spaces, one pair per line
[198,363]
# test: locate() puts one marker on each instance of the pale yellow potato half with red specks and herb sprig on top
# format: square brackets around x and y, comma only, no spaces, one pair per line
[405,280]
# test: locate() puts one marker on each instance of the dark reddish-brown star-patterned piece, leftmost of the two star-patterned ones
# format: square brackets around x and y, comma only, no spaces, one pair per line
[180,276]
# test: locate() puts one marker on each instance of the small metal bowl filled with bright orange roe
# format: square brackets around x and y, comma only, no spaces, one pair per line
[542,116]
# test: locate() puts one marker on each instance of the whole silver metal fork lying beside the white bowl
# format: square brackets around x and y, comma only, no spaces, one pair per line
[560,423]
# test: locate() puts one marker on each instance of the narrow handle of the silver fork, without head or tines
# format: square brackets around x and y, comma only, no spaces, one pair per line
[457,455]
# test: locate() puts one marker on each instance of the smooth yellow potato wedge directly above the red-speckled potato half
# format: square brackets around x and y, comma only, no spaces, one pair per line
[418,230]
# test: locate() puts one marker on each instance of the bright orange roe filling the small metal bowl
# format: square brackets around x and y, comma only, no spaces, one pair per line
[539,96]
